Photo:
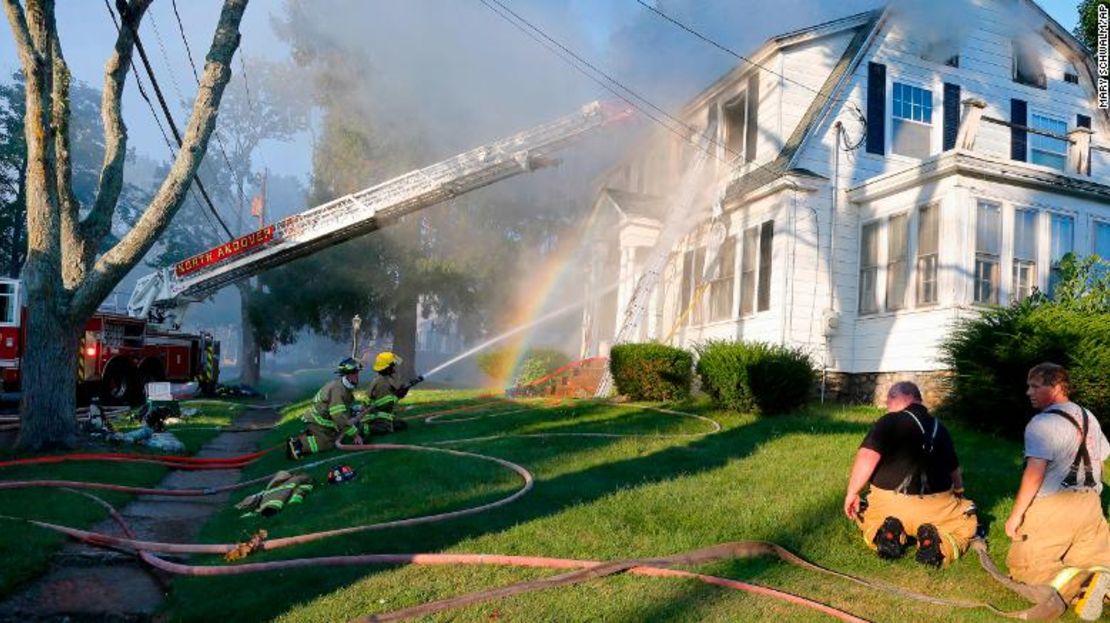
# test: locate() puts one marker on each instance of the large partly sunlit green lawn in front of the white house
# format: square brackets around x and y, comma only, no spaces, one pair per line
[775,479]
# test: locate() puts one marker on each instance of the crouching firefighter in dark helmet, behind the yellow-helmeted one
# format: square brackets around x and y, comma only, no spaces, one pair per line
[335,415]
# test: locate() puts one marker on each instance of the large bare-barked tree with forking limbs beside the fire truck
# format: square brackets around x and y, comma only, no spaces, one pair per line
[66,276]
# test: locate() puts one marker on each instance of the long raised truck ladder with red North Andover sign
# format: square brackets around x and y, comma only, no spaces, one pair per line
[163,297]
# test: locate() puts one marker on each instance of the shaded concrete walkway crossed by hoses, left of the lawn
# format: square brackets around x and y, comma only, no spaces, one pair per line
[87,584]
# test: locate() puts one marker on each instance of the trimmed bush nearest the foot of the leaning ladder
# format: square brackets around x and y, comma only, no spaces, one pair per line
[652,371]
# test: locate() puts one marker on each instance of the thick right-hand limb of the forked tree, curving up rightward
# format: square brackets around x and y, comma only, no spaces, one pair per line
[115,265]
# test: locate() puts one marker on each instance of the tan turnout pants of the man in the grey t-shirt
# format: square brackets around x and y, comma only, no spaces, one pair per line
[1063,538]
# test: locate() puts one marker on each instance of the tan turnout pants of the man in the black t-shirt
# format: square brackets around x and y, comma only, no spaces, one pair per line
[947,513]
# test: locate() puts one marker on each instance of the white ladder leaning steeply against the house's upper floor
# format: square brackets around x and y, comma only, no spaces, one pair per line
[678,225]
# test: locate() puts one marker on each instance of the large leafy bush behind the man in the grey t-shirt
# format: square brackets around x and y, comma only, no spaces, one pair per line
[992,355]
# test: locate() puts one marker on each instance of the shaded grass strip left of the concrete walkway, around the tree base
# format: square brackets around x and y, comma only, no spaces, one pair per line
[25,550]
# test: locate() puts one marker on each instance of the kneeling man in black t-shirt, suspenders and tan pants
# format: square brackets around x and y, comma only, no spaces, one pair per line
[916,488]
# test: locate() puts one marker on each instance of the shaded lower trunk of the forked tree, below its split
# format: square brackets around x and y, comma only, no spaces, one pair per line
[49,379]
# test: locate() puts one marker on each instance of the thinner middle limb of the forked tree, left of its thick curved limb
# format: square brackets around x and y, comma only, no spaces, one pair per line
[99,222]
